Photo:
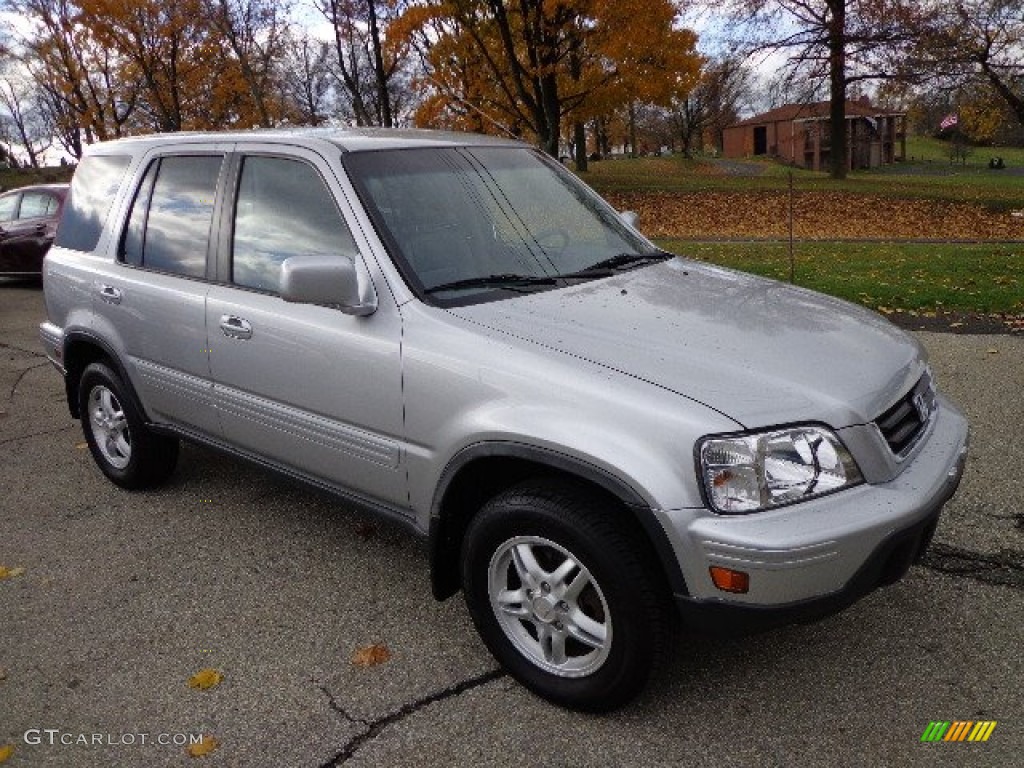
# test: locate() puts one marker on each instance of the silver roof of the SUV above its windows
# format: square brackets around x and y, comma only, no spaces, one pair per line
[348,140]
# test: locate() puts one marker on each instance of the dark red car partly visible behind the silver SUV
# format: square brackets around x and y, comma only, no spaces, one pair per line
[28,223]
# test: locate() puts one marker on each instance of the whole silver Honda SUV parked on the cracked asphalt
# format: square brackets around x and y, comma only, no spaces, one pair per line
[455,333]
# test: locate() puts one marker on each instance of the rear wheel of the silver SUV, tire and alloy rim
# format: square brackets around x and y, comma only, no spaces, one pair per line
[125,450]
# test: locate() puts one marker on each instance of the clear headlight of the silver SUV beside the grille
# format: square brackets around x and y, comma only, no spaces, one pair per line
[752,473]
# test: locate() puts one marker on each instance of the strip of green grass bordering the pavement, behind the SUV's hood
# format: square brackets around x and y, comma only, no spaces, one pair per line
[887,277]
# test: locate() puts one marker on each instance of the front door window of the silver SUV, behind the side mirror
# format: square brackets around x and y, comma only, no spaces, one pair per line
[284,209]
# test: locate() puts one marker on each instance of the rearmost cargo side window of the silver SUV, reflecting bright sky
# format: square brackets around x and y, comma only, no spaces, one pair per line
[94,189]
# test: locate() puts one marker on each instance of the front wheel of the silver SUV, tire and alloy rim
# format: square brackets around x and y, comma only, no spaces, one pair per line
[561,593]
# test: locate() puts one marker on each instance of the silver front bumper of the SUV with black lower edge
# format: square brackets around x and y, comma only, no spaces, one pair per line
[819,557]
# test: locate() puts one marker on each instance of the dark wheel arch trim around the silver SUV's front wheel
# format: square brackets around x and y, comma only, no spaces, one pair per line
[444,562]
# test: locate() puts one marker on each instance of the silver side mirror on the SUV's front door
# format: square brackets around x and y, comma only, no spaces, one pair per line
[327,280]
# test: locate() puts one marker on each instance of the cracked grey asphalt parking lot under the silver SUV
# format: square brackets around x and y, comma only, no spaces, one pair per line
[124,598]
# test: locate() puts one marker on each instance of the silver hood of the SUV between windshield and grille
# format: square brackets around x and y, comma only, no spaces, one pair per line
[759,352]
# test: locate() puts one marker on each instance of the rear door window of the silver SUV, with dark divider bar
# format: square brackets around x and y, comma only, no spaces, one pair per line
[169,225]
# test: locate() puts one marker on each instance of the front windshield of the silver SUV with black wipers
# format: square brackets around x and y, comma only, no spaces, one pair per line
[472,225]
